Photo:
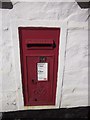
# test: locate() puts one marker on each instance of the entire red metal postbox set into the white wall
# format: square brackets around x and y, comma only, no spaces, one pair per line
[39,48]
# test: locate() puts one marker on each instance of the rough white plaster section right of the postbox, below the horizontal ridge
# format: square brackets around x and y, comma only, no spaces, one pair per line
[75,84]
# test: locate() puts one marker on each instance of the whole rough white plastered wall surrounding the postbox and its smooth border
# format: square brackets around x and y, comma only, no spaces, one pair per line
[75,80]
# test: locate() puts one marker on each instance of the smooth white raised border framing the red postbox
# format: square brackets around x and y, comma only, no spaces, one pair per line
[61,58]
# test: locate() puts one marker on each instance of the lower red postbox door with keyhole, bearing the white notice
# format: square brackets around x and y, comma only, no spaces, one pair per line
[40,80]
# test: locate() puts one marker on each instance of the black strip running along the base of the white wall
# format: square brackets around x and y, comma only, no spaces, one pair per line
[78,112]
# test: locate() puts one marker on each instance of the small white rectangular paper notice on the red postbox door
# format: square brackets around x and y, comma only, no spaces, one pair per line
[42,71]
